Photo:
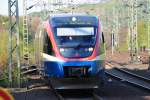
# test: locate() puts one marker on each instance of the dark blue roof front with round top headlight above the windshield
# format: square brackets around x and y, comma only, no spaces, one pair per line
[73,20]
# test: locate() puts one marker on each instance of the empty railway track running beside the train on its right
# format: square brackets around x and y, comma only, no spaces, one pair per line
[127,76]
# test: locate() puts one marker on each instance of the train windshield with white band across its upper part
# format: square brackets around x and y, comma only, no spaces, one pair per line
[75,36]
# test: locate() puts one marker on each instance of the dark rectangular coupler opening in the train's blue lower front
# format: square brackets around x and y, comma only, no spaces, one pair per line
[76,71]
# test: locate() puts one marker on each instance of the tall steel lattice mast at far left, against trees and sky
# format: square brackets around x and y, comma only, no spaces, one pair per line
[13,31]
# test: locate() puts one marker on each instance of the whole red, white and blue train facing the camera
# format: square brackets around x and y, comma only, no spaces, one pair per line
[72,48]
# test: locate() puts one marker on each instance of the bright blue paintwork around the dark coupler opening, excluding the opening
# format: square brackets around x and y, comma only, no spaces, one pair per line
[55,68]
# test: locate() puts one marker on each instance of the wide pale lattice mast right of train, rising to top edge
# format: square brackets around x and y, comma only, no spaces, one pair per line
[132,14]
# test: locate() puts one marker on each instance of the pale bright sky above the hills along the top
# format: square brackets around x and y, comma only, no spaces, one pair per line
[4,5]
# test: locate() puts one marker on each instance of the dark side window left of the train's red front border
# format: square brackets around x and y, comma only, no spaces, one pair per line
[47,44]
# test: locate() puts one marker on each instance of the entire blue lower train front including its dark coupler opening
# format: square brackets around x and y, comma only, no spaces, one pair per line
[57,69]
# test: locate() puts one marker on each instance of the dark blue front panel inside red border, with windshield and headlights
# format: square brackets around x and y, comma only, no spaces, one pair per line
[75,37]
